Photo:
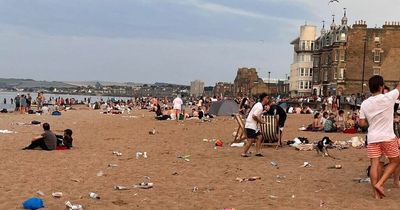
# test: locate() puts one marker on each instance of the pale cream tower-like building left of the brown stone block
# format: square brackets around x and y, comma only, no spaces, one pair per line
[301,70]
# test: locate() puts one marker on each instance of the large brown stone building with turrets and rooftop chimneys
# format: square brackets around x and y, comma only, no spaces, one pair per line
[346,57]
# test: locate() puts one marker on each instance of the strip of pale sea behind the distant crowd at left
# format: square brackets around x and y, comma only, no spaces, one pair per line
[11,95]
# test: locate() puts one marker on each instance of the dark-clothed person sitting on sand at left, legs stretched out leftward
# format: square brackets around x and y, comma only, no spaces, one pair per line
[46,141]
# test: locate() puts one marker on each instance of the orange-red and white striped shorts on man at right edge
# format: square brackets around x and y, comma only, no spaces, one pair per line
[389,148]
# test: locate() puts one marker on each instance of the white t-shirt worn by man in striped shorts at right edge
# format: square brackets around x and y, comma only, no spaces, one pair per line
[378,110]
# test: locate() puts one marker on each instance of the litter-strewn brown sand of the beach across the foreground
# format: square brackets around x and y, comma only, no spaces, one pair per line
[211,171]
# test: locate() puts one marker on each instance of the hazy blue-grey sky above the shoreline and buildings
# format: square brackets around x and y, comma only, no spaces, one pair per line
[174,41]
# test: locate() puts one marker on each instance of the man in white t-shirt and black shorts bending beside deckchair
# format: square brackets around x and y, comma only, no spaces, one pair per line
[252,126]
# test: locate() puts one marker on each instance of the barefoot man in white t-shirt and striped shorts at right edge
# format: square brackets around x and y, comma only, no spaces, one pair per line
[376,112]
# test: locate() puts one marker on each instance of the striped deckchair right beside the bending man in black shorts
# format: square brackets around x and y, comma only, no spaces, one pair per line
[270,131]
